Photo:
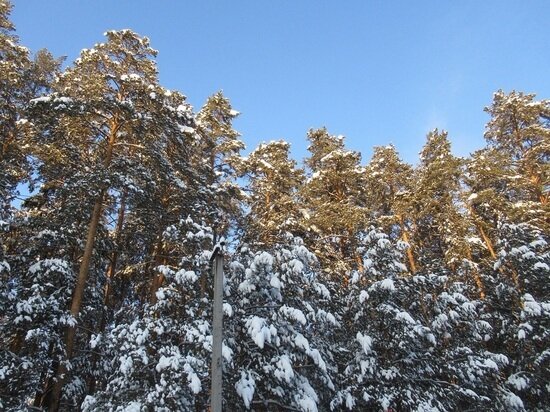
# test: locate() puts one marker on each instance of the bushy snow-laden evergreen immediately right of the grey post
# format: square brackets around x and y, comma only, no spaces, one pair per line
[278,330]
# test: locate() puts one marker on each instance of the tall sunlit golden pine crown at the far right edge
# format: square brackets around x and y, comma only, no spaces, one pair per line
[507,181]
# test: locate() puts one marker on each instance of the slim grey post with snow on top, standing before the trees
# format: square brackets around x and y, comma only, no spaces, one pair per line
[216,261]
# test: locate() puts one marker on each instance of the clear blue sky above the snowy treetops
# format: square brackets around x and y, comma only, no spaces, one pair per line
[374,71]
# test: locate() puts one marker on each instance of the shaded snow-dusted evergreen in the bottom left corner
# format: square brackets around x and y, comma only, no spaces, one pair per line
[33,301]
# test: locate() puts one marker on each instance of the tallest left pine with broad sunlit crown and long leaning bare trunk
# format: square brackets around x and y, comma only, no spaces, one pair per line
[108,114]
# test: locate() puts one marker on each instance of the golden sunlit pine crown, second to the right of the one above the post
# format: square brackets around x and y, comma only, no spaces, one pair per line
[331,198]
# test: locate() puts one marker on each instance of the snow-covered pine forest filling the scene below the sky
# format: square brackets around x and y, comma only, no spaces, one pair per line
[349,284]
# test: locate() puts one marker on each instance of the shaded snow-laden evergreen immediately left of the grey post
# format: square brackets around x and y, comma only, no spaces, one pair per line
[155,356]
